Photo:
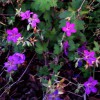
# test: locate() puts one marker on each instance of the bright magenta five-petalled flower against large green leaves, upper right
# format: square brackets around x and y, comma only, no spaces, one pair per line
[69,28]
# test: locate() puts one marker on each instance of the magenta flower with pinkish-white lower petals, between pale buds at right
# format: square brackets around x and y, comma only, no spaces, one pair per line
[89,57]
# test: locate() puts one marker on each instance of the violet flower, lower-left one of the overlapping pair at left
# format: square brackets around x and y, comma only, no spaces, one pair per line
[10,64]
